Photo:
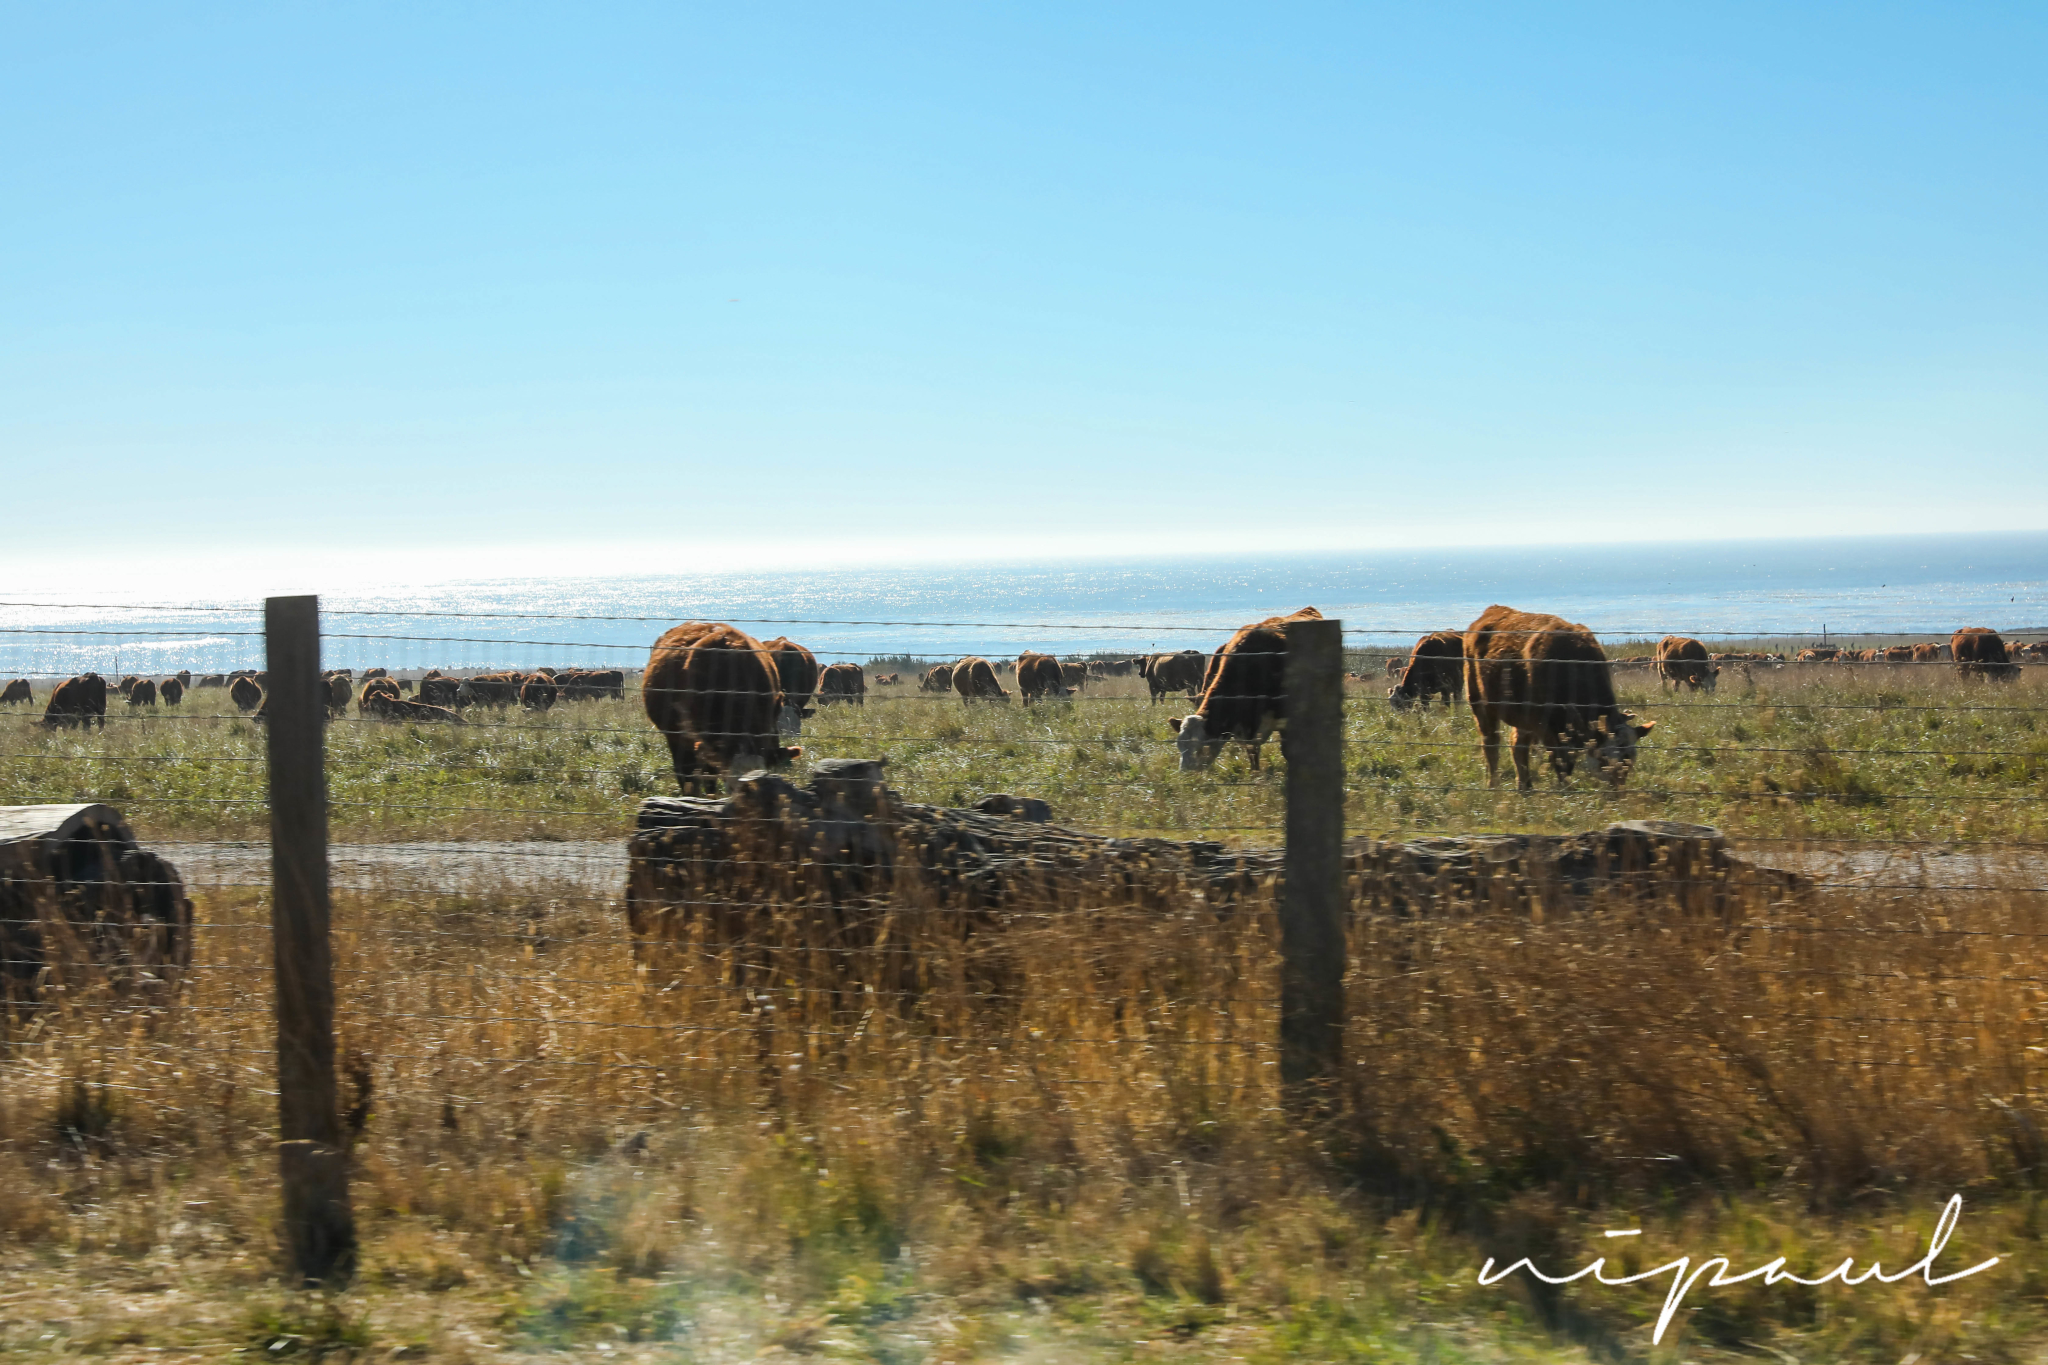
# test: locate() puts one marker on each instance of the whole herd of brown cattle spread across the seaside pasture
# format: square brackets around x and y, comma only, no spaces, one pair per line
[726,703]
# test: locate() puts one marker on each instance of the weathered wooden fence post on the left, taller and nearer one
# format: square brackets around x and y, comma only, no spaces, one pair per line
[321,1229]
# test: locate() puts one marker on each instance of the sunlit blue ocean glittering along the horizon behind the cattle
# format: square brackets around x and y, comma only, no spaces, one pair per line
[1797,590]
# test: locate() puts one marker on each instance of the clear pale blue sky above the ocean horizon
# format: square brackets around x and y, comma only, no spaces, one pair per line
[636,288]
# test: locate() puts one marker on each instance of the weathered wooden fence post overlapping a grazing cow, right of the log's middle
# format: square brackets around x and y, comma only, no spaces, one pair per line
[1314,904]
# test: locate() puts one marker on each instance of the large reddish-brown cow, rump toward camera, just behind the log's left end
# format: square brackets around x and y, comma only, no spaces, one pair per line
[718,701]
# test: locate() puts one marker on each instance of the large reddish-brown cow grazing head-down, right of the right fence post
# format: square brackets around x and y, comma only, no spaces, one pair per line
[1551,682]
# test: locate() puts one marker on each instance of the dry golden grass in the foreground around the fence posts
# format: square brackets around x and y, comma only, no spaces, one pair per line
[1054,1137]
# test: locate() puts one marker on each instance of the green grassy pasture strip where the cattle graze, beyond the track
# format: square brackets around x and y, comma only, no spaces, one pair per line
[1805,752]
